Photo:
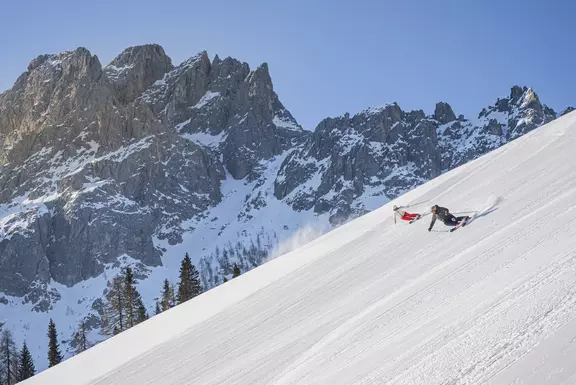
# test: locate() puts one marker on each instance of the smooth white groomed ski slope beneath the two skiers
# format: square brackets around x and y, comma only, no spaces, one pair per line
[371,303]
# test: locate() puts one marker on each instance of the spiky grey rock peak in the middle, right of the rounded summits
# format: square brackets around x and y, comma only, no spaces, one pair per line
[228,102]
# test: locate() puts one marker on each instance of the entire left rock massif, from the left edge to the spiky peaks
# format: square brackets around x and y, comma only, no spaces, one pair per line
[91,175]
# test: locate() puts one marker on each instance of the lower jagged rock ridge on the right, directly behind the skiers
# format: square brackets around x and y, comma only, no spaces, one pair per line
[387,151]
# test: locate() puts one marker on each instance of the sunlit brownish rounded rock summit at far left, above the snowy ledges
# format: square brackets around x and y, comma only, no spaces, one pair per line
[55,88]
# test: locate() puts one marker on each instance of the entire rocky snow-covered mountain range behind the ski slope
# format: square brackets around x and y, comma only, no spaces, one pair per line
[140,161]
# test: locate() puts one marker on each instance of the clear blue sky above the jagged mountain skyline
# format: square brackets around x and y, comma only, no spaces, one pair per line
[327,57]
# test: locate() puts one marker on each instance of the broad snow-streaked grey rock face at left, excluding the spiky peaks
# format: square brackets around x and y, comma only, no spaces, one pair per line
[93,165]
